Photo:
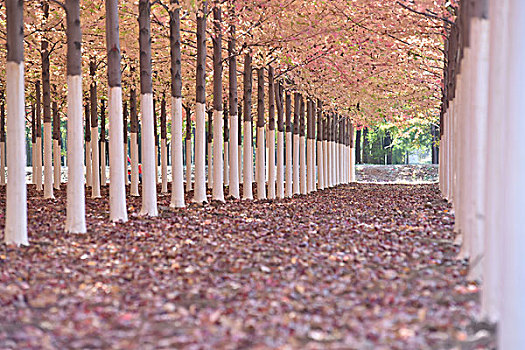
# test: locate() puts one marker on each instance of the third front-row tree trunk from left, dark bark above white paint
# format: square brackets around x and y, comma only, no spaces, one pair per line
[117,175]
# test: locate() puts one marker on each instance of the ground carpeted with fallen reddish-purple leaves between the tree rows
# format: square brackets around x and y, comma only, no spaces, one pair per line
[362,266]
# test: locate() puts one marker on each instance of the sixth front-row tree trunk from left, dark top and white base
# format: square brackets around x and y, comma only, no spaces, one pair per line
[199,194]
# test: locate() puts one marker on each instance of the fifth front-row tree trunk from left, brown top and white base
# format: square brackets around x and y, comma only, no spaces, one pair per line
[177,166]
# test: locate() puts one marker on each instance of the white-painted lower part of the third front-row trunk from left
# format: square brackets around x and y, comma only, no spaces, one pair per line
[117,188]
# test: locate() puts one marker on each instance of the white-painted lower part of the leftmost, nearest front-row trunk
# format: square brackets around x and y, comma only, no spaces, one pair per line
[16,196]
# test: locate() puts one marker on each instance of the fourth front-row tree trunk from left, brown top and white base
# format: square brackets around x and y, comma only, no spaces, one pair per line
[149,184]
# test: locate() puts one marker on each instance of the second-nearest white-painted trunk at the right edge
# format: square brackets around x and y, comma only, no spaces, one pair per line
[495,201]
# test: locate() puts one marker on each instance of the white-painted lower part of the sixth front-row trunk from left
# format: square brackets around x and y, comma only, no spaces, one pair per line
[199,195]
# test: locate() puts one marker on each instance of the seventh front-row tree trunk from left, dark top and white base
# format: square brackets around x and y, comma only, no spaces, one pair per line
[218,140]
